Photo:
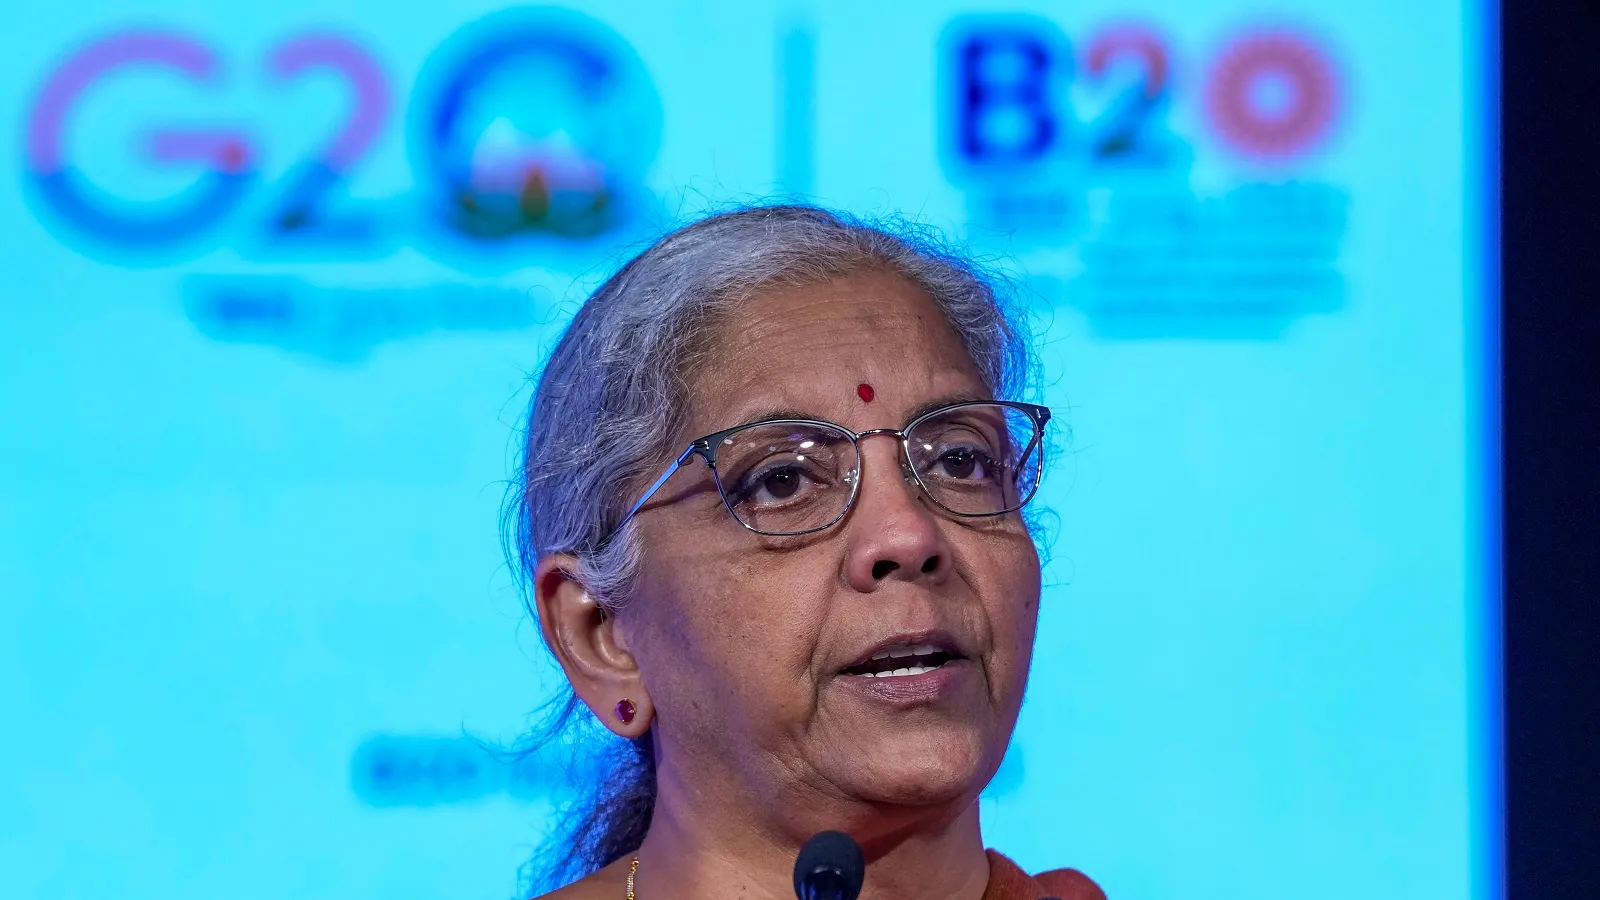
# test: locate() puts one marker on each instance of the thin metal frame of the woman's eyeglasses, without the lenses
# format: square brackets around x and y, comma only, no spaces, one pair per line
[706,448]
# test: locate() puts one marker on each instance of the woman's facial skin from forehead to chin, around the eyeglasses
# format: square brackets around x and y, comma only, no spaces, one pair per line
[746,643]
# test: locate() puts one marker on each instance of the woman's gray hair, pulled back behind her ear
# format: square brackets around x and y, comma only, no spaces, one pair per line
[615,392]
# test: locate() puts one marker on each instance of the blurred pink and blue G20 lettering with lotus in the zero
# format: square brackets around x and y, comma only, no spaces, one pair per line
[530,124]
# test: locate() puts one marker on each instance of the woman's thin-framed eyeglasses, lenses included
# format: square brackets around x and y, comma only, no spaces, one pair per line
[799,476]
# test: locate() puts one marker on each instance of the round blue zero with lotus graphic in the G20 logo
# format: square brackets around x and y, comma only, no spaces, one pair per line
[535,124]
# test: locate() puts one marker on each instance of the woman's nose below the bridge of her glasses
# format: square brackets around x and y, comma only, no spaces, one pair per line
[894,534]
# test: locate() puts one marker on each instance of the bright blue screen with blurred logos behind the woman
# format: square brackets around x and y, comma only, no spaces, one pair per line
[278,273]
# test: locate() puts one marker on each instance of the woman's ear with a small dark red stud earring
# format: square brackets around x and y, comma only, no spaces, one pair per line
[586,643]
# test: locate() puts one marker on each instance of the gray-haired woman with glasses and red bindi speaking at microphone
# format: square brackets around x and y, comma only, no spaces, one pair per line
[770,521]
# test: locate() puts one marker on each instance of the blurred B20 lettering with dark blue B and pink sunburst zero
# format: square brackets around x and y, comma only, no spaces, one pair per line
[1270,95]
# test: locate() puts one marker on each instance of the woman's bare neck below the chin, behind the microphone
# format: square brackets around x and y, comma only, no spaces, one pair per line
[703,848]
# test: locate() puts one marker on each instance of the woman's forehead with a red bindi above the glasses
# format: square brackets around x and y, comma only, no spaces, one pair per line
[807,348]
